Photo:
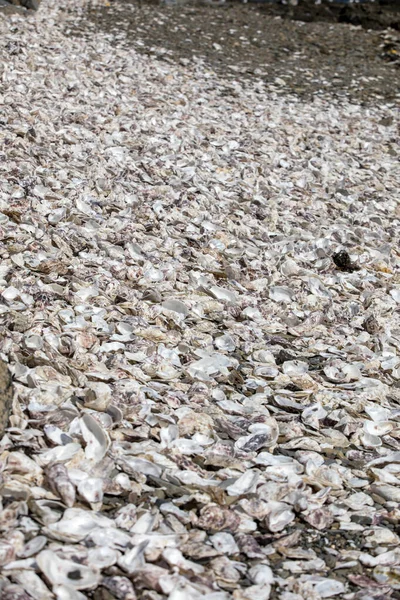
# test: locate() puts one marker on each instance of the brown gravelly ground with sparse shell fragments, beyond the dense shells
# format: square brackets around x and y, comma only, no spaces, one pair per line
[264,42]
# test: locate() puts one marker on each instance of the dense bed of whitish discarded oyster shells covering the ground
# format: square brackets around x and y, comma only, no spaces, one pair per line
[200,291]
